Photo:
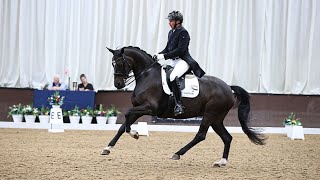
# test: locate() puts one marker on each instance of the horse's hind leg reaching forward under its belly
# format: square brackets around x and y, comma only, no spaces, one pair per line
[200,136]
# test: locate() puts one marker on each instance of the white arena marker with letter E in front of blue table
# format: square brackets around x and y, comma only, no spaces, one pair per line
[56,118]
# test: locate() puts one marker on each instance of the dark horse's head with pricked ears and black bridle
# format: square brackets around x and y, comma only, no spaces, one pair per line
[122,68]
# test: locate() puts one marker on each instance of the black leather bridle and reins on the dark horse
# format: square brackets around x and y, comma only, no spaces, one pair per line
[126,74]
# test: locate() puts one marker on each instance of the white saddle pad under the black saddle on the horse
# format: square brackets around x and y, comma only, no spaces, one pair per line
[191,89]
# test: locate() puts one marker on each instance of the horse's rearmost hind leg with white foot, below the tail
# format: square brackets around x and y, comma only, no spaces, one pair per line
[219,128]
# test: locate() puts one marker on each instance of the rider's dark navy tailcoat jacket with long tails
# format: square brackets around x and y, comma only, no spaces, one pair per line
[178,47]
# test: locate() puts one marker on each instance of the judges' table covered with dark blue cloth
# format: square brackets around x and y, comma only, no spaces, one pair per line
[82,99]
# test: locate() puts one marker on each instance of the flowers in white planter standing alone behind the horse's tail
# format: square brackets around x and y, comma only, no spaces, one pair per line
[292,125]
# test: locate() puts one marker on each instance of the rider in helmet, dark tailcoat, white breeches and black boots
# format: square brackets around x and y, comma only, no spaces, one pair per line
[177,51]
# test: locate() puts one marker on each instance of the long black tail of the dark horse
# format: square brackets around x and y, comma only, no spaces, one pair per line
[243,102]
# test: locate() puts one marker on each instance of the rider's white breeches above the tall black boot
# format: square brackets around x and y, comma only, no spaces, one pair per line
[179,68]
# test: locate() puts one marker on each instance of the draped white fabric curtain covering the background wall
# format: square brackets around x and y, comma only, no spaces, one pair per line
[265,46]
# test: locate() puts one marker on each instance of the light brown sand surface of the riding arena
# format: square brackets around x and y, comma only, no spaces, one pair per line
[37,154]
